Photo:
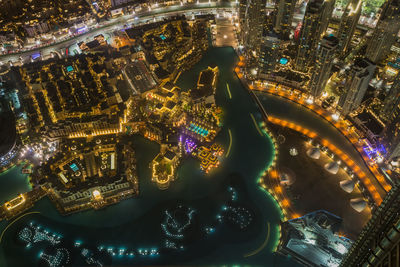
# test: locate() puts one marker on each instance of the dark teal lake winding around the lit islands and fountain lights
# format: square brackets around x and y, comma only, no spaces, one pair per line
[135,223]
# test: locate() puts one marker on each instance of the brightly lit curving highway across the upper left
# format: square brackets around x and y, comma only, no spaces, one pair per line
[119,23]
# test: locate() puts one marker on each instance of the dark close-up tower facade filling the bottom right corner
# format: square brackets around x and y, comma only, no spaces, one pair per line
[379,242]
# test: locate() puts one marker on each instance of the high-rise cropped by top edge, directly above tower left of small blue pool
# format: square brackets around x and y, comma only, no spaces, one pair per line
[284,10]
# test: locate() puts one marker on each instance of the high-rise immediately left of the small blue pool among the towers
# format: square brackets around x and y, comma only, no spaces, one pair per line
[269,53]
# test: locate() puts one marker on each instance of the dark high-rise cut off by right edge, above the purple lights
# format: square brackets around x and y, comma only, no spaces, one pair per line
[391,101]
